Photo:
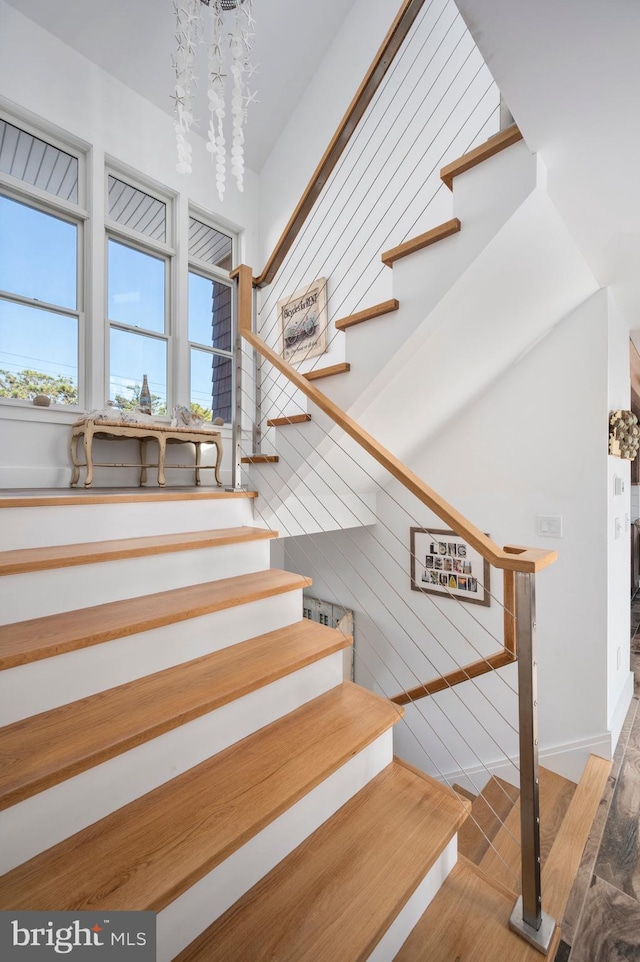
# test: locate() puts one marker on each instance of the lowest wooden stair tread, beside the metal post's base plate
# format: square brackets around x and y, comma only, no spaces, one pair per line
[468,920]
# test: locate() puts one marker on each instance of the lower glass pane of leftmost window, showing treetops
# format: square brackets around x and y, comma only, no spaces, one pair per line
[38,353]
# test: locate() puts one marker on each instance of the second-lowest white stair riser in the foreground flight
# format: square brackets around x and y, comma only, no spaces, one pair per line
[183,920]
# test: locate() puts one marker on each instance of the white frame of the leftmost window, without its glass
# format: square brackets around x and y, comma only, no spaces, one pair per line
[75,213]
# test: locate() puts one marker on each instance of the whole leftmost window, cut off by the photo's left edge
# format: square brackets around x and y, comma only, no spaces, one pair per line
[40,268]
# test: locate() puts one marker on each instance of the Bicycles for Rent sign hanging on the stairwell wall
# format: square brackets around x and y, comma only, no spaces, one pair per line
[302,323]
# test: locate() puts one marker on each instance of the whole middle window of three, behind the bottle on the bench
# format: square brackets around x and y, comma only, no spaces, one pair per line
[138,274]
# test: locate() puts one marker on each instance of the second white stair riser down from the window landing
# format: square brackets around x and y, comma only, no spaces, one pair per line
[35,594]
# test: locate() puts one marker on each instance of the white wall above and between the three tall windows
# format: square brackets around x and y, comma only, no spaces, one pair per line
[52,82]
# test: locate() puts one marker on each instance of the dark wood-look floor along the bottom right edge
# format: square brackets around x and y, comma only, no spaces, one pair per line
[602,919]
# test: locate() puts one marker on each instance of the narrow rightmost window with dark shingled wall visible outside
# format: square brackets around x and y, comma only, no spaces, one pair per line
[210,324]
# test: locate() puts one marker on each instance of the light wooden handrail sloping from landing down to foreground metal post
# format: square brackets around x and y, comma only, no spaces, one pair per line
[510,558]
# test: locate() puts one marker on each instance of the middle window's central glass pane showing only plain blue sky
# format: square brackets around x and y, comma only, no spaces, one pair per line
[136,288]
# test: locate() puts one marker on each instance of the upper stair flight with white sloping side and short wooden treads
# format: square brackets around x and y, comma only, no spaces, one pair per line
[458,288]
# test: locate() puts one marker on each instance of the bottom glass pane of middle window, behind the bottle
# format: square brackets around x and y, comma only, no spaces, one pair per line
[132,356]
